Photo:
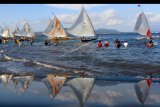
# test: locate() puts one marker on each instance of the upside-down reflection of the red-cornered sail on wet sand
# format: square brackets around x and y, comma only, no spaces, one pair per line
[142,89]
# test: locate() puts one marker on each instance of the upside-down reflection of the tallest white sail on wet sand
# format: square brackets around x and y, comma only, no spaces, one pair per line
[82,88]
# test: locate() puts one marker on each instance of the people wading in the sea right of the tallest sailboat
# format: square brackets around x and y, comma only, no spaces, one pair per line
[118,43]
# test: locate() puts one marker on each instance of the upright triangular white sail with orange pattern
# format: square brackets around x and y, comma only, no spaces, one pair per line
[57,30]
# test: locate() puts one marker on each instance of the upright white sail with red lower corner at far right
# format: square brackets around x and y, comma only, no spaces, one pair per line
[142,26]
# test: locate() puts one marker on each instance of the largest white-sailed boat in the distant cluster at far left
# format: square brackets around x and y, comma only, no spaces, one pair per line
[27,31]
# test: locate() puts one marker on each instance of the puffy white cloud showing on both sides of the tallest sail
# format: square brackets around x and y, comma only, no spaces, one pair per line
[105,18]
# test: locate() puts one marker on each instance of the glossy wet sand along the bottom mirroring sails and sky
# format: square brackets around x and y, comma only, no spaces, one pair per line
[28,90]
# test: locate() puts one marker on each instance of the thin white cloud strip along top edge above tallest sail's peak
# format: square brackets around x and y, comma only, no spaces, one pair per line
[74,6]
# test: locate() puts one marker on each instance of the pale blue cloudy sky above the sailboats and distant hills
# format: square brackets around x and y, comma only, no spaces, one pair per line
[121,17]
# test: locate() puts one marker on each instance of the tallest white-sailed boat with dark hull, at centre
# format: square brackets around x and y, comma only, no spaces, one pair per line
[83,27]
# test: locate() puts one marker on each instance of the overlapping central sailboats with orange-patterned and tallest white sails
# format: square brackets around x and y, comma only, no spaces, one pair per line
[82,28]
